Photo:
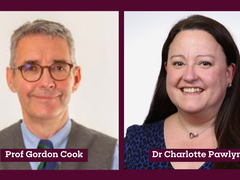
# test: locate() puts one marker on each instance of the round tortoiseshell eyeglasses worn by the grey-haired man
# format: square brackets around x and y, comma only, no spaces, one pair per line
[32,72]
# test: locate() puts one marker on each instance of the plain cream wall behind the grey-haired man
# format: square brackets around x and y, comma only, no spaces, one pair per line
[95,104]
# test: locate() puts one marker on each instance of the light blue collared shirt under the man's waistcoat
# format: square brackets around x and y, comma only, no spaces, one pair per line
[59,141]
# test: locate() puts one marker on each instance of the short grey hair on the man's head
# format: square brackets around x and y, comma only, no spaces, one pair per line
[42,27]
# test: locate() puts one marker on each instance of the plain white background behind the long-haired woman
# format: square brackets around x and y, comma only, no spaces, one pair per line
[144,36]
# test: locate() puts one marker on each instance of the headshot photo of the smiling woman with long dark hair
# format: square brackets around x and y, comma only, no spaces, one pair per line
[182,77]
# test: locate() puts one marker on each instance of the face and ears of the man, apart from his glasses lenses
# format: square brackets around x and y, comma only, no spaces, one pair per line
[45,98]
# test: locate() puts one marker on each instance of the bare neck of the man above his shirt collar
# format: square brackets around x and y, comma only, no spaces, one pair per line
[45,128]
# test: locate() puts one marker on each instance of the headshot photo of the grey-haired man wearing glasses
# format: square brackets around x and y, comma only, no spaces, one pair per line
[59,86]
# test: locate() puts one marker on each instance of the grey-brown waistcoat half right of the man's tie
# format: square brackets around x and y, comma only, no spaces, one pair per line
[100,147]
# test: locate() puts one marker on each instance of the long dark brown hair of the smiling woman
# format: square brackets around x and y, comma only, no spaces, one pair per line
[227,124]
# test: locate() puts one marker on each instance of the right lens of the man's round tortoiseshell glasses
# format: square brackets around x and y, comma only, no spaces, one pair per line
[60,71]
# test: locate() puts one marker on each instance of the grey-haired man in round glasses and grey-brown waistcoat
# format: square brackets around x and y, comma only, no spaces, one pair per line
[44,74]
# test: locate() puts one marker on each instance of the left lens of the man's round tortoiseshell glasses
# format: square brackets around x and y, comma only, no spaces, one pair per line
[31,72]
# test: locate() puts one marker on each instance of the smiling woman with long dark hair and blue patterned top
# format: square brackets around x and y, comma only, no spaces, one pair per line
[196,101]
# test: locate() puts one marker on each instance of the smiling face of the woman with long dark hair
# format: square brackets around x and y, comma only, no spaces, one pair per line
[197,73]
